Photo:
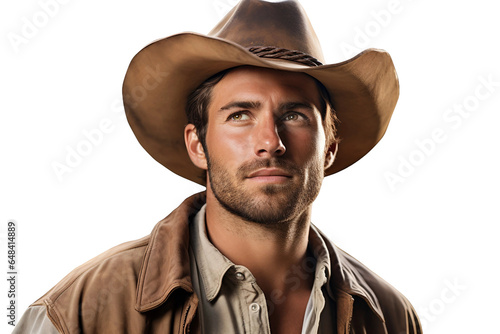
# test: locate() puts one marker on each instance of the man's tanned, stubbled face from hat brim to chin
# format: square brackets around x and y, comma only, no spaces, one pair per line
[265,143]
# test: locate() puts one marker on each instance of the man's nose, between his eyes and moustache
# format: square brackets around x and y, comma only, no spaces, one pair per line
[267,138]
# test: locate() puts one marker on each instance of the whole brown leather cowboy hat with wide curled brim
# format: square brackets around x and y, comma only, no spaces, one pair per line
[364,89]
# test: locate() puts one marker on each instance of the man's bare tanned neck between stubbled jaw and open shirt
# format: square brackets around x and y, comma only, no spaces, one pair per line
[276,253]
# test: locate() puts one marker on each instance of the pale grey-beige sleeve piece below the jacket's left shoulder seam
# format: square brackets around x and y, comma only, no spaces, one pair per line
[35,321]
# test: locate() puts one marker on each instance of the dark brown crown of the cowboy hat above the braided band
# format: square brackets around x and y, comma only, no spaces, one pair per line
[282,24]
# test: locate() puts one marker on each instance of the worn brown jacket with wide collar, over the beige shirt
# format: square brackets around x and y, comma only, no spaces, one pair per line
[144,286]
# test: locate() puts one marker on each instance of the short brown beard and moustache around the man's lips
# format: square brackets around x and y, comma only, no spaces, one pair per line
[271,203]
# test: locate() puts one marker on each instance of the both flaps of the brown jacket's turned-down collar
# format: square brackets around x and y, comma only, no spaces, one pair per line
[165,267]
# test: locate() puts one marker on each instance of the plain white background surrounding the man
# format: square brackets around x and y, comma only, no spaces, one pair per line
[432,234]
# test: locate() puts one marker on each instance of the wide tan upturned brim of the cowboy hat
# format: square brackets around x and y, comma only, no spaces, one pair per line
[364,91]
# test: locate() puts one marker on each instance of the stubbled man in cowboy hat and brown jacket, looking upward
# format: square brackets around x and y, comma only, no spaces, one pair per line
[261,133]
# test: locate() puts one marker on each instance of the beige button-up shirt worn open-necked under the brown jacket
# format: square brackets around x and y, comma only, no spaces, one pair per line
[232,302]
